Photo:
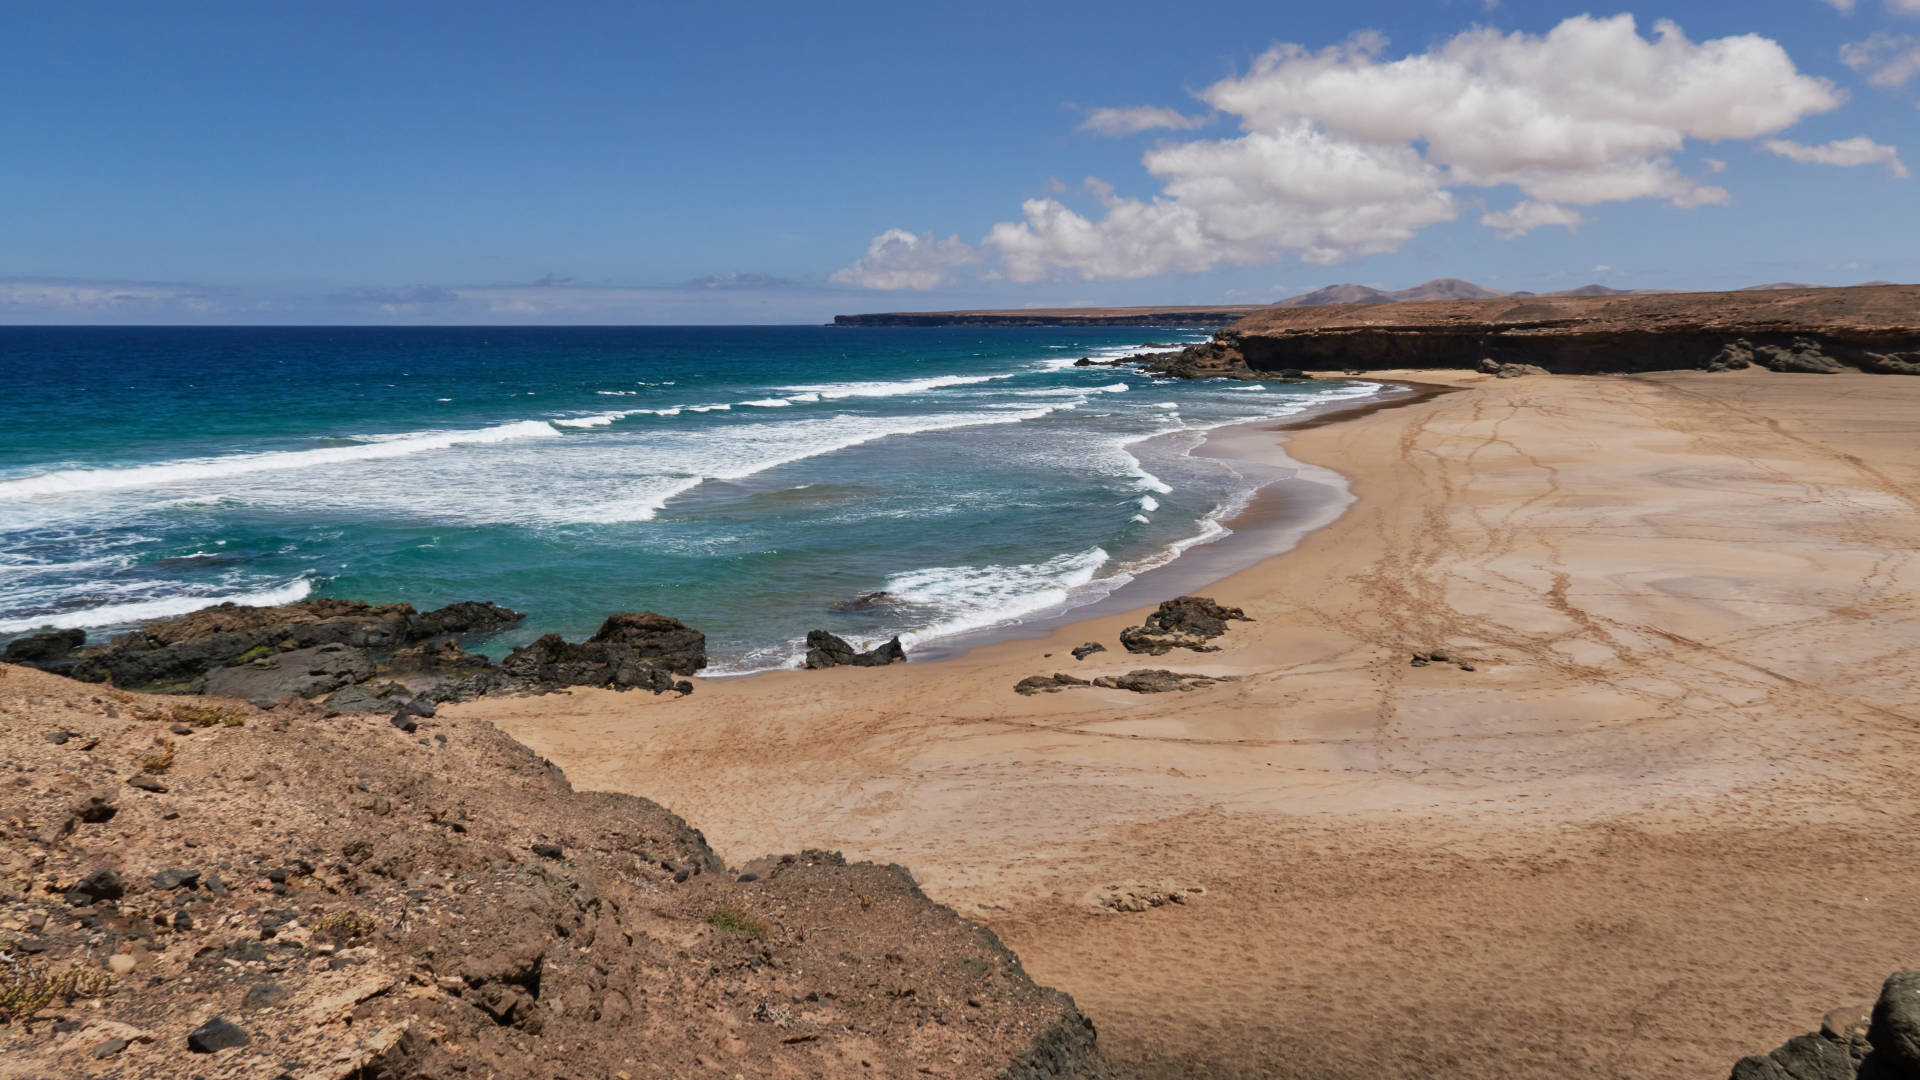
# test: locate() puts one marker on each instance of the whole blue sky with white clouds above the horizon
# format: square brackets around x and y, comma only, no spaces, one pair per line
[683,164]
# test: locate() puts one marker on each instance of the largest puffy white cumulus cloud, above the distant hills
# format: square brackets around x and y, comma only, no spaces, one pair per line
[1347,153]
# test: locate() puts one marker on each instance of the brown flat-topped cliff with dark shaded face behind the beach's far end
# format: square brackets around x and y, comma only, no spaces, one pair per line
[1815,330]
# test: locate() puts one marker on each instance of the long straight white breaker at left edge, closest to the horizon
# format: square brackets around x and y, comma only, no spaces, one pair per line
[243,464]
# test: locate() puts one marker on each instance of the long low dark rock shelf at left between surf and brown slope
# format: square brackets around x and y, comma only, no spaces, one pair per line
[174,656]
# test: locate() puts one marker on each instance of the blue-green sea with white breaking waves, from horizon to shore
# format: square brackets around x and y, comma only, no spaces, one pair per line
[742,479]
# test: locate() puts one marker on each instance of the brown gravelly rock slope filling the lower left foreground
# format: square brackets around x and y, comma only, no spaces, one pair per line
[203,889]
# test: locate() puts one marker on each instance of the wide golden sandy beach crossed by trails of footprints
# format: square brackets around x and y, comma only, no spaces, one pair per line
[1668,820]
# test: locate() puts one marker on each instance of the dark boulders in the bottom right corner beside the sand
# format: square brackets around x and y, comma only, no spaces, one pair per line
[1865,1043]
